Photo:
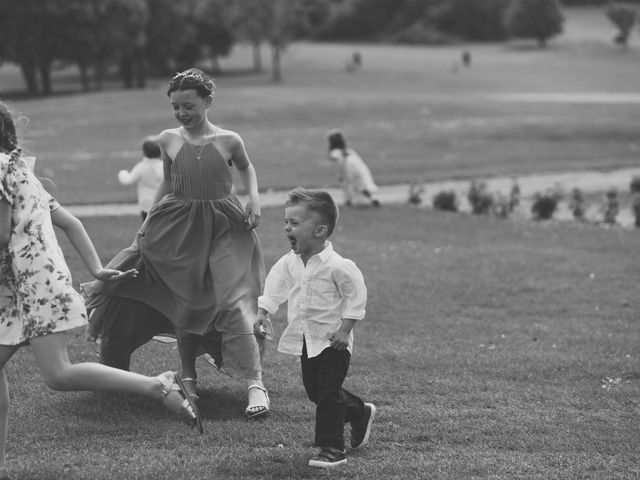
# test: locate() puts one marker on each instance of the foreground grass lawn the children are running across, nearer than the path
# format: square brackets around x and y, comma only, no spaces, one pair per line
[493,349]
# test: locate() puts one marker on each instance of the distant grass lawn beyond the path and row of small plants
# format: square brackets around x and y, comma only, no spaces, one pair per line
[407,112]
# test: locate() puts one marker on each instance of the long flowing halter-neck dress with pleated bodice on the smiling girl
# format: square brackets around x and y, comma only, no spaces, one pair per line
[198,265]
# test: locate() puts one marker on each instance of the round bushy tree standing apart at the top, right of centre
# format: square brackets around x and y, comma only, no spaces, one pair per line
[537,19]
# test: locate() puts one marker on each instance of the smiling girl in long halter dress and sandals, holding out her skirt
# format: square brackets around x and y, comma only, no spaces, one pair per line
[199,259]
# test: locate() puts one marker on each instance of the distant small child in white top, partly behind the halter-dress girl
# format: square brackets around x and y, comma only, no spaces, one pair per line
[146,174]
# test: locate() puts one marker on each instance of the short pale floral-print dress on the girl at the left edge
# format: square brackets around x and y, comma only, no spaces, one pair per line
[36,294]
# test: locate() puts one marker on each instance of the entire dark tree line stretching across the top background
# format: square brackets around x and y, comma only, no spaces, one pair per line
[143,37]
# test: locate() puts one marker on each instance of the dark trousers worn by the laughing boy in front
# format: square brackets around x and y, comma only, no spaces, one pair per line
[322,377]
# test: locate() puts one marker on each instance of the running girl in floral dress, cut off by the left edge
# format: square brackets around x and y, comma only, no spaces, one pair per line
[37,300]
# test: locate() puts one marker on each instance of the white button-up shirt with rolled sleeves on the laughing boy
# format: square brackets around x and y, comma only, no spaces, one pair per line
[320,294]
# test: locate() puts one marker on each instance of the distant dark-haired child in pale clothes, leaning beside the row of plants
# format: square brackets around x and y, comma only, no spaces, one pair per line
[355,177]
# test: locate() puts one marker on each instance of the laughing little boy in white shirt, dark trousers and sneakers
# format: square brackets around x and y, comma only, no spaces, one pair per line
[326,297]
